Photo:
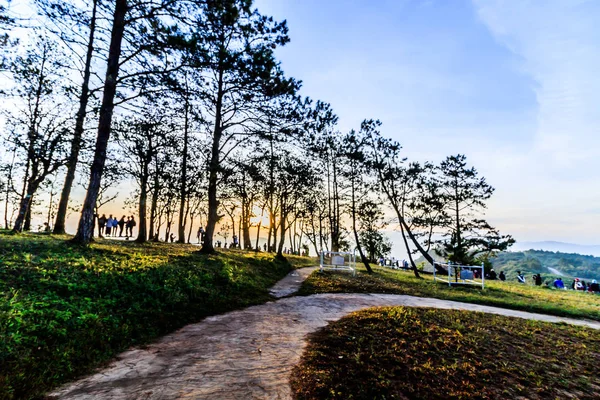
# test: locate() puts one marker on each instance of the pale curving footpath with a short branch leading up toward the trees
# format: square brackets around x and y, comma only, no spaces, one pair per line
[245,354]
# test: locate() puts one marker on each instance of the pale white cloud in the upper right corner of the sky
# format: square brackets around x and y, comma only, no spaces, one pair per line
[558,43]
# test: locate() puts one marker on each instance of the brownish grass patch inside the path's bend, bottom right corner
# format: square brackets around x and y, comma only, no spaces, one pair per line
[420,353]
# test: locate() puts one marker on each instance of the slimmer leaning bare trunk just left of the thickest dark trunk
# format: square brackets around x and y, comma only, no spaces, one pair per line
[61,213]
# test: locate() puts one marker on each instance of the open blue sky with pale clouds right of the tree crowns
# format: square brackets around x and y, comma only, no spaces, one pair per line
[511,84]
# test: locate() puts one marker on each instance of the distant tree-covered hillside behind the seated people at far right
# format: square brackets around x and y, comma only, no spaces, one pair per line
[540,261]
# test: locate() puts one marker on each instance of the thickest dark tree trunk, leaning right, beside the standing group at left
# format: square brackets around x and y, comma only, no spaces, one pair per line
[84,230]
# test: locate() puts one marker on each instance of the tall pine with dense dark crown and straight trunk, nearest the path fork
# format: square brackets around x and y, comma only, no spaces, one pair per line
[241,75]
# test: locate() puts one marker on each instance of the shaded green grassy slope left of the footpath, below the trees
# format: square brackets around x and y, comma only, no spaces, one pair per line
[65,310]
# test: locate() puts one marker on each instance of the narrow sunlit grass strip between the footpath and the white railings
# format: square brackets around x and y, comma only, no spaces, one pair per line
[565,303]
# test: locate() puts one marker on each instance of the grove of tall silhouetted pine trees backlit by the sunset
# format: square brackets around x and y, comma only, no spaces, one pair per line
[186,101]
